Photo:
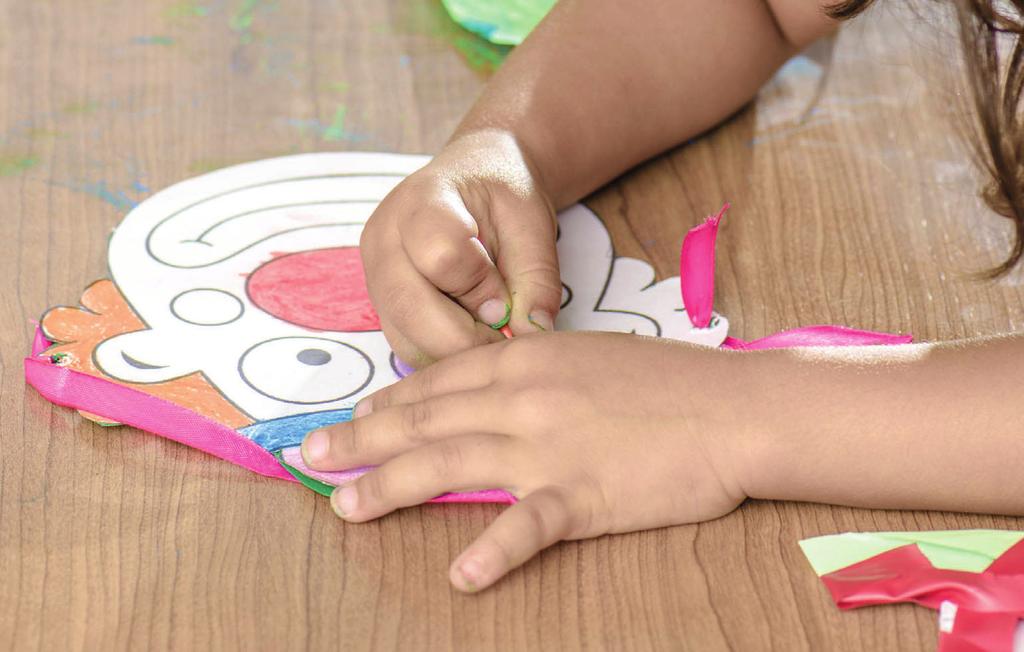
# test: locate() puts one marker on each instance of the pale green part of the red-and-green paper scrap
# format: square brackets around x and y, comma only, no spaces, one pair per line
[971,551]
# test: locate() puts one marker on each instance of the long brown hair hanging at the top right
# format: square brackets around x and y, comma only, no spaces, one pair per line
[997,80]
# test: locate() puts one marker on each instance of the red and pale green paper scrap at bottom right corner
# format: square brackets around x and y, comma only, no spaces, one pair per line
[975,579]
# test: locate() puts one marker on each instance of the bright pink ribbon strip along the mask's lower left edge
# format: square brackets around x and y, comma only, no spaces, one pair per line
[133,408]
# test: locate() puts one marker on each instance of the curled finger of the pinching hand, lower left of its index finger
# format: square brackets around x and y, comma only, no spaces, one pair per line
[434,324]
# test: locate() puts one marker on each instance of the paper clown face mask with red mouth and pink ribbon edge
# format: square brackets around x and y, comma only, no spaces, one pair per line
[237,320]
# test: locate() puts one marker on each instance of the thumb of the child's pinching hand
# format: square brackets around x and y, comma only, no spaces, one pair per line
[529,262]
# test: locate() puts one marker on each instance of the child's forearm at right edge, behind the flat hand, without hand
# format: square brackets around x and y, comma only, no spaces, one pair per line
[934,427]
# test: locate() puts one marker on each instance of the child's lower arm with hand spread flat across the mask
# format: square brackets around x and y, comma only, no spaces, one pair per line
[602,432]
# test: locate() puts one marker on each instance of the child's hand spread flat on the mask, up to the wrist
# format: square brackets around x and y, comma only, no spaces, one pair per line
[593,432]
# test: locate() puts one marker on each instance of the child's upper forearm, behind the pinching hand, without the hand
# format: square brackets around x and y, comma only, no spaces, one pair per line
[603,85]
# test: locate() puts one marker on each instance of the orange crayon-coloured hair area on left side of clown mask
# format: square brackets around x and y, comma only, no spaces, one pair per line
[104,315]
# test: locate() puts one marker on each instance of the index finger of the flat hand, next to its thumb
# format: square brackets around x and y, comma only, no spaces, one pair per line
[460,464]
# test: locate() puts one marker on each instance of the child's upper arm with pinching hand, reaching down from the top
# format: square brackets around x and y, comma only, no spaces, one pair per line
[599,88]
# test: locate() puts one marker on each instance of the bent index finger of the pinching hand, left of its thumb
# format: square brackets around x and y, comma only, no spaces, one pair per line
[443,243]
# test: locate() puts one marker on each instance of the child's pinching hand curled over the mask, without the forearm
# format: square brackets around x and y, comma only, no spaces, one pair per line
[461,248]
